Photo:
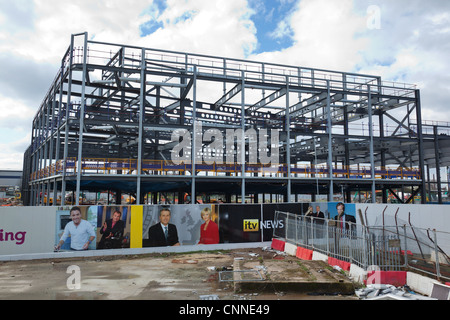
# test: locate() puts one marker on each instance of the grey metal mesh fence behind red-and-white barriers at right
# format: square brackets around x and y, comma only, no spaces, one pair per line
[389,248]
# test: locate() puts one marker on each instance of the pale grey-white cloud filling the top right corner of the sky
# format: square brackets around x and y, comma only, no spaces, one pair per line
[413,46]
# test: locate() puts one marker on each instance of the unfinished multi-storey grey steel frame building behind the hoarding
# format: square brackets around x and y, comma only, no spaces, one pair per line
[108,119]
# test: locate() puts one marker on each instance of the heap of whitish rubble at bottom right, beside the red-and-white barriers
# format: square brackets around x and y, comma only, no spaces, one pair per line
[388,292]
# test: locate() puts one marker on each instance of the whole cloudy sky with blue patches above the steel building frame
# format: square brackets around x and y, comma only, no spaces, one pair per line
[400,40]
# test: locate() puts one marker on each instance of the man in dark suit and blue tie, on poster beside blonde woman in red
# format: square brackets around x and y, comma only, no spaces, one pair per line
[163,233]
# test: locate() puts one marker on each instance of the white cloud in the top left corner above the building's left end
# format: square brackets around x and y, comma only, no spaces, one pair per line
[53,22]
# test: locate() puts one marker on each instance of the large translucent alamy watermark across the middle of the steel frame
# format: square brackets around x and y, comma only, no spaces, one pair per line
[213,147]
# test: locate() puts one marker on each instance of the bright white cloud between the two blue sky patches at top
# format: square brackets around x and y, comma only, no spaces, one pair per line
[220,28]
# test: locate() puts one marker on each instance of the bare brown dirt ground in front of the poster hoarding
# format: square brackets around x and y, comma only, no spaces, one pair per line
[175,276]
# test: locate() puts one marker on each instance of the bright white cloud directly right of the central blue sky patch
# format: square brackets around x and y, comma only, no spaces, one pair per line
[325,36]
